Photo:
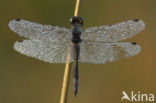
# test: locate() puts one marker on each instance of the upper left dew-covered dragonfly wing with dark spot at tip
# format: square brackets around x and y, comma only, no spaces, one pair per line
[40,32]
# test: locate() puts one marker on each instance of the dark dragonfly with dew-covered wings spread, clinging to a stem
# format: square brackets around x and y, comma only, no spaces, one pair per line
[98,45]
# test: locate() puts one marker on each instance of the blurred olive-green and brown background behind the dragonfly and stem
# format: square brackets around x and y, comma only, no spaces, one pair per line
[27,80]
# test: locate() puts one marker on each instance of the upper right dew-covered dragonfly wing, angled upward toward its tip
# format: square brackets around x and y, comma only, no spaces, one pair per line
[115,32]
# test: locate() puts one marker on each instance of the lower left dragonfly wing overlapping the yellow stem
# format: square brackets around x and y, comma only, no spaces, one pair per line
[48,52]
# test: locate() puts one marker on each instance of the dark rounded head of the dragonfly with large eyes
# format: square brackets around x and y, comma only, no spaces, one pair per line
[76,21]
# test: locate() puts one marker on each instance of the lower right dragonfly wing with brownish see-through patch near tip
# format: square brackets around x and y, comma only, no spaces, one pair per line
[100,53]
